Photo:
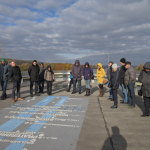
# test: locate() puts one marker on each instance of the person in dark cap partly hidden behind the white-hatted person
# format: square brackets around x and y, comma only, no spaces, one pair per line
[109,71]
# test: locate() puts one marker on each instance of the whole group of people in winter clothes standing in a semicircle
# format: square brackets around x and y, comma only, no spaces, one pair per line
[125,77]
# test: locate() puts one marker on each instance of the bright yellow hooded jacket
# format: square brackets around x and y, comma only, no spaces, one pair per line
[100,74]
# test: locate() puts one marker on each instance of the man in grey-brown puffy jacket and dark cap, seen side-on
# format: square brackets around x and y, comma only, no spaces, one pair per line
[129,80]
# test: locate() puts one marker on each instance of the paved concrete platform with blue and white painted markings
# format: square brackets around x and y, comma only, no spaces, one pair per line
[102,128]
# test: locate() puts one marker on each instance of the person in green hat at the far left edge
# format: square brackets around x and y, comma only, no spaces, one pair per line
[4,76]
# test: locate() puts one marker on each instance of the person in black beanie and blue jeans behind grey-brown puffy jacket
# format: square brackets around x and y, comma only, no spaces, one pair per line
[122,84]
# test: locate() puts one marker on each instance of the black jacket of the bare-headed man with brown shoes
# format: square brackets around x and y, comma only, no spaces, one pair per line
[15,74]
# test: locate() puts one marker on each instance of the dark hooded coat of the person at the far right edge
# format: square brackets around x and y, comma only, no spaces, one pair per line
[144,78]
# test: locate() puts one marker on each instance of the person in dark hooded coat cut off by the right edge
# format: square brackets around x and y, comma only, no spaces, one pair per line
[144,78]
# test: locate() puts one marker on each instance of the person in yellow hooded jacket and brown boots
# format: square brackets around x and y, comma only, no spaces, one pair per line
[100,77]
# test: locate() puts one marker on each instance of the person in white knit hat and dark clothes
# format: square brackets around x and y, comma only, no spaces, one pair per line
[115,84]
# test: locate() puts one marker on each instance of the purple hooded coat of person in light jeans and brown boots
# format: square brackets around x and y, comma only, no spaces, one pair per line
[87,72]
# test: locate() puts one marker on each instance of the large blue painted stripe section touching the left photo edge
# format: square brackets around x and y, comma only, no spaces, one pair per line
[11,125]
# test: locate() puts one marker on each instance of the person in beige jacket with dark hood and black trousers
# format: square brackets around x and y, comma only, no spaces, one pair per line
[49,77]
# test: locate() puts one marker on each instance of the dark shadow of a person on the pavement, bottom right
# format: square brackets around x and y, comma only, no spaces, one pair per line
[117,141]
